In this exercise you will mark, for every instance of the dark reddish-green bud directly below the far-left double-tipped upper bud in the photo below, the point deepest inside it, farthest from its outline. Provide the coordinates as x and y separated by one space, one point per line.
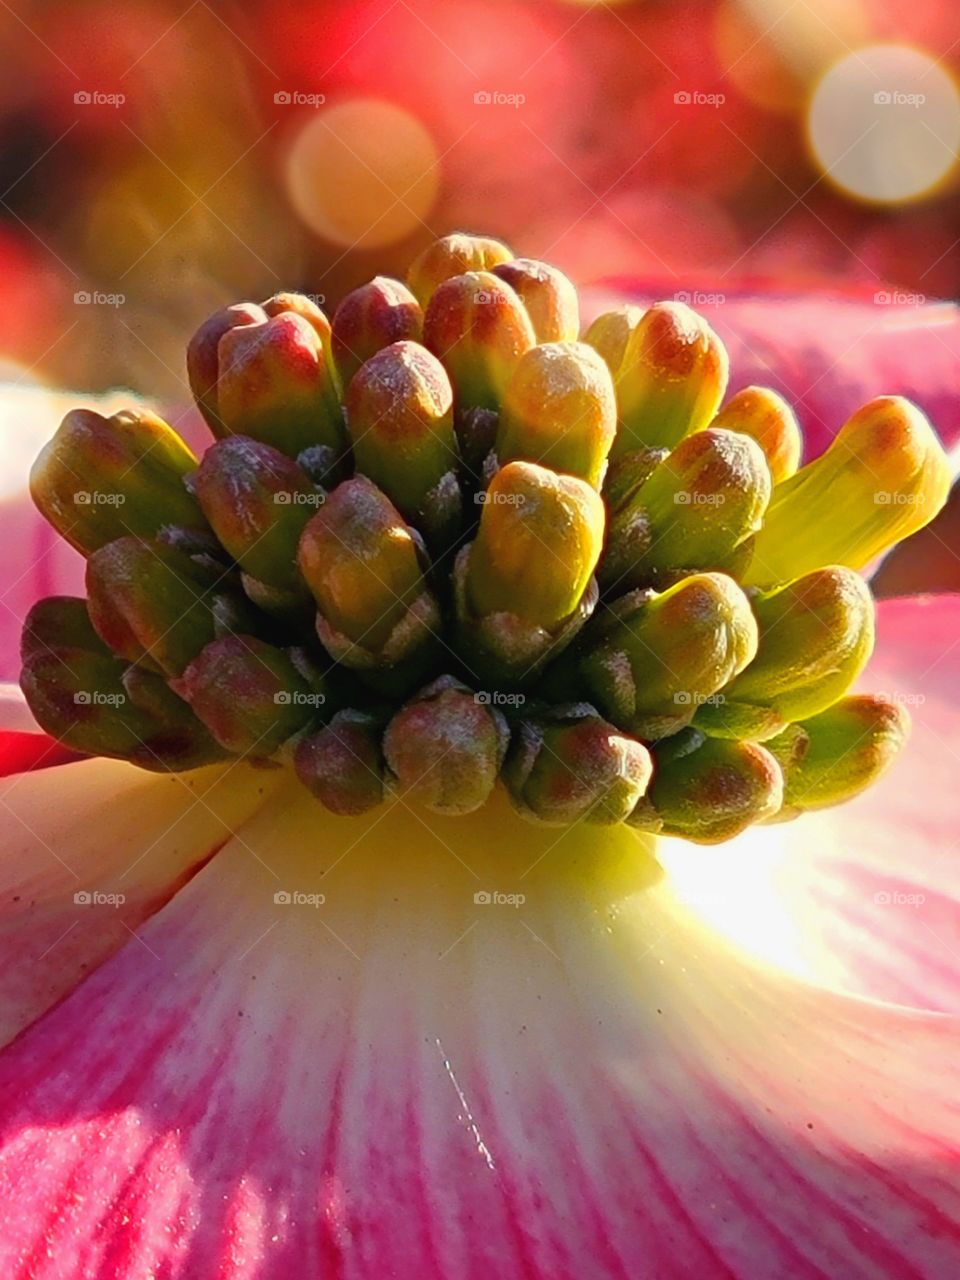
150 604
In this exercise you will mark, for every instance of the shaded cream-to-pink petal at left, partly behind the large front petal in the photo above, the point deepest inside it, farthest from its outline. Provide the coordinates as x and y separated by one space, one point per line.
99 828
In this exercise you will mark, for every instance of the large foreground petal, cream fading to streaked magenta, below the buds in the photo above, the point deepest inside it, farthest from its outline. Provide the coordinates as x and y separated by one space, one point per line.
401 1084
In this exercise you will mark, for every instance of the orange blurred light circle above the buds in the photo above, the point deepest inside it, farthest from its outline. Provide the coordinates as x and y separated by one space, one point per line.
363 173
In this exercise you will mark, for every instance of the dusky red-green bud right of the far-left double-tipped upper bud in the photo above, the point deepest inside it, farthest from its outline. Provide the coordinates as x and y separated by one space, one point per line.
258 502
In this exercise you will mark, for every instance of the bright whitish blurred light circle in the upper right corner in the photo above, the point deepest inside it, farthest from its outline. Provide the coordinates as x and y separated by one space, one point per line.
885 124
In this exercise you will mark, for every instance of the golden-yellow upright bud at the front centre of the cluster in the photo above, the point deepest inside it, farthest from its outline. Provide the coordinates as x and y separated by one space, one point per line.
538 545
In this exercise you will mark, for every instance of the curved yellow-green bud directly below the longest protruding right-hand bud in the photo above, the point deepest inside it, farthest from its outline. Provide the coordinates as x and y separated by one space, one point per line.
816 637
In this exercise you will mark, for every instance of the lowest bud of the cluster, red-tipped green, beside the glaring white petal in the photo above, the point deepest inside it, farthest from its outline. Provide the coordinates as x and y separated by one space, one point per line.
708 790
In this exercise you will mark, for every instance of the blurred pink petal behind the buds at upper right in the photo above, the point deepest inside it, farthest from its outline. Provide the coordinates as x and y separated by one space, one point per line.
826 354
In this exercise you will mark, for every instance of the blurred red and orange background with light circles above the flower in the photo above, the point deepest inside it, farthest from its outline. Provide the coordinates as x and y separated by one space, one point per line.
163 157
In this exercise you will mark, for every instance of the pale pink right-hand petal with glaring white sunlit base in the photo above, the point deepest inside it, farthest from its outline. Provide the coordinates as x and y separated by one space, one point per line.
865 898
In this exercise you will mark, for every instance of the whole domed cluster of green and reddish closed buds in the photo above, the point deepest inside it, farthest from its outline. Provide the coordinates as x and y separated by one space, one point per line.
442 542
